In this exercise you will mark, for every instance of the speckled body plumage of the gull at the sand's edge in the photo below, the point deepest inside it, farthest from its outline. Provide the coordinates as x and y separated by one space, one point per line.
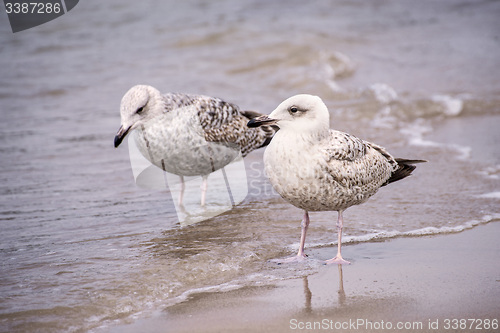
338 171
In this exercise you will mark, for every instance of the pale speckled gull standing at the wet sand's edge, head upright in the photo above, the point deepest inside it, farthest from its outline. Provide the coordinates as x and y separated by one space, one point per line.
316 168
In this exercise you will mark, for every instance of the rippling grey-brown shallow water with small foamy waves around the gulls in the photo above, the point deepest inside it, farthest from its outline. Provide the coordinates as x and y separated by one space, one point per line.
82 247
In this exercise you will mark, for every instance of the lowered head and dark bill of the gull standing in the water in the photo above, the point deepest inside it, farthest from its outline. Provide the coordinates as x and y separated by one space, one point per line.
139 105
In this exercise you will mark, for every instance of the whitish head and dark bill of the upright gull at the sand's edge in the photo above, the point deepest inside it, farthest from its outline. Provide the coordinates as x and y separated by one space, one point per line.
300 113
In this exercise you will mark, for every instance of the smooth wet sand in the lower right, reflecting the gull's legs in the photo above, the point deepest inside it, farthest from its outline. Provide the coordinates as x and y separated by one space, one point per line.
424 284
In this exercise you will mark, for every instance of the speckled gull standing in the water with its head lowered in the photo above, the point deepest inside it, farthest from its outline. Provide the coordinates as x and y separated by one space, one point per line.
188 135
